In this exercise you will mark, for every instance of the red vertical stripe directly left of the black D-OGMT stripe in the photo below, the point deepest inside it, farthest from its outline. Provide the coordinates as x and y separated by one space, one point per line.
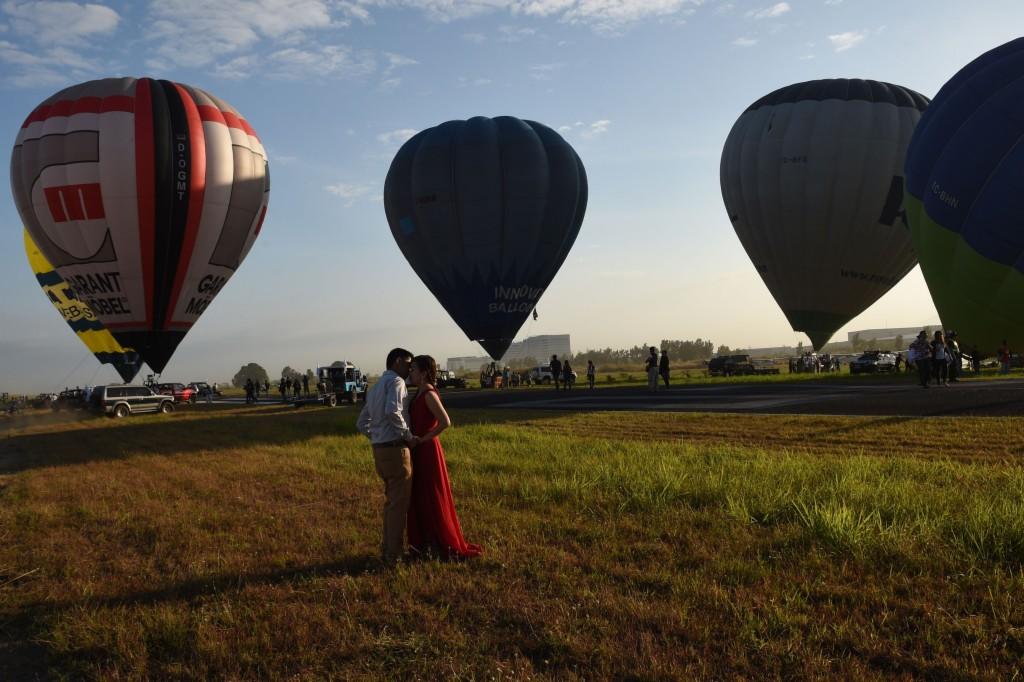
146 185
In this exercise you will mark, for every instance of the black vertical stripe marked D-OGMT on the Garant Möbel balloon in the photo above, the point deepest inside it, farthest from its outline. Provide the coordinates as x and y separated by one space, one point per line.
173 158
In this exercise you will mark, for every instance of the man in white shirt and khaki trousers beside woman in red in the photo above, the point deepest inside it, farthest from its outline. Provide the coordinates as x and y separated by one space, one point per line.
383 421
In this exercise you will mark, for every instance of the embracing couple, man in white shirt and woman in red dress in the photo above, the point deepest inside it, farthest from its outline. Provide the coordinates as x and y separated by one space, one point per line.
410 460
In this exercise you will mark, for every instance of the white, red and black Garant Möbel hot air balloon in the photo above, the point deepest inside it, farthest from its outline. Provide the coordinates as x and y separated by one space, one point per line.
146 196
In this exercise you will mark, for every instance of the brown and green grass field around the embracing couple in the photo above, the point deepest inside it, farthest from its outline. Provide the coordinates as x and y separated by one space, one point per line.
240 543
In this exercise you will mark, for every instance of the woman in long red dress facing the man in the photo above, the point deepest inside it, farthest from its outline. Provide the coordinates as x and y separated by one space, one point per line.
434 526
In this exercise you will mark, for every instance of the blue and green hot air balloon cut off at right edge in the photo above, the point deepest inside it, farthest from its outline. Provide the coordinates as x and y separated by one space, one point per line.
965 174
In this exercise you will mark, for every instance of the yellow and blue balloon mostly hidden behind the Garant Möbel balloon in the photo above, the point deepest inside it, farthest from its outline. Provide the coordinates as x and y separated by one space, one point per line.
79 317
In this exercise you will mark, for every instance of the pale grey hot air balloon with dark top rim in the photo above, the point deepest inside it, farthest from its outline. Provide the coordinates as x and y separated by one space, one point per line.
812 178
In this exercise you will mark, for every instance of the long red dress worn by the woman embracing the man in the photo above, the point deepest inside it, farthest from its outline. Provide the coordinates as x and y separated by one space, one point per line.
433 522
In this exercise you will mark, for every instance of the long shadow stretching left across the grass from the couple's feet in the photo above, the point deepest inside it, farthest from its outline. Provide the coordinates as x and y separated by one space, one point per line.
27 655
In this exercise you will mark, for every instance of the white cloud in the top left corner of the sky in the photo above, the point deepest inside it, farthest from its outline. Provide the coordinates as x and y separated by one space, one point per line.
61 23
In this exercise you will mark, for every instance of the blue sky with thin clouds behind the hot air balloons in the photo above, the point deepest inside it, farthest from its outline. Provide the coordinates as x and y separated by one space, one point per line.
645 91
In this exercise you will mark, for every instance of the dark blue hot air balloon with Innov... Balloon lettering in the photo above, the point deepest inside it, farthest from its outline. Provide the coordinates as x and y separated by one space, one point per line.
486 211
